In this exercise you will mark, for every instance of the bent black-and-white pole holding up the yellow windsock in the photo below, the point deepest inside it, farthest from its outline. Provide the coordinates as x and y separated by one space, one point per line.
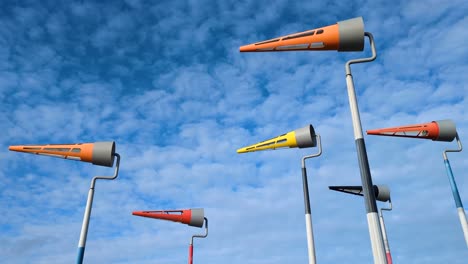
305 186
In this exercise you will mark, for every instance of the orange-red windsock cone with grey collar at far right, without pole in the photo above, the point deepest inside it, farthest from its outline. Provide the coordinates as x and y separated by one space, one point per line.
442 130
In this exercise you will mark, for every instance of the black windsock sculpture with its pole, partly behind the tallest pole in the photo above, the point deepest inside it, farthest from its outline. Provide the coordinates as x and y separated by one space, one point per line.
382 193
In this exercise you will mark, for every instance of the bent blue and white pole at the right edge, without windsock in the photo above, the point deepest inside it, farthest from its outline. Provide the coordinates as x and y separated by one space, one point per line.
456 195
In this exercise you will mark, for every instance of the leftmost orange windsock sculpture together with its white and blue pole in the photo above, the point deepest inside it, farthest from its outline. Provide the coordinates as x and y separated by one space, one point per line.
98 153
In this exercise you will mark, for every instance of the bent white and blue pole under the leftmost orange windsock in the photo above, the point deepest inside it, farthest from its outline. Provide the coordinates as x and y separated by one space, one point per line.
89 204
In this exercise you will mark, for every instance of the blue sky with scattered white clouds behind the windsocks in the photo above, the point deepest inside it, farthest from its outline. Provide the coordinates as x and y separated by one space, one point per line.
166 82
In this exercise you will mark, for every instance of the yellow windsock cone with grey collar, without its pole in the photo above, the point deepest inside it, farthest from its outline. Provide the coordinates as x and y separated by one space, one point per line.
299 138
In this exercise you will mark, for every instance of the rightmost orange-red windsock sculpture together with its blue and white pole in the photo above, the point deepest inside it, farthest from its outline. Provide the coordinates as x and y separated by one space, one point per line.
442 130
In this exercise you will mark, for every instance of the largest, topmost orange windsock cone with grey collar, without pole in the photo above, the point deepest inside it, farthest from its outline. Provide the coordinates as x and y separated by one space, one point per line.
347 35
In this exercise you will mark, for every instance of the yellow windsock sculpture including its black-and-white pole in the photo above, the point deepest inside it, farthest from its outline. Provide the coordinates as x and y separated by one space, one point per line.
300 138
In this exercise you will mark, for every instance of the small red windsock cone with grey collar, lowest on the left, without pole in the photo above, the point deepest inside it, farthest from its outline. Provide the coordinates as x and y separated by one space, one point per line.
191 217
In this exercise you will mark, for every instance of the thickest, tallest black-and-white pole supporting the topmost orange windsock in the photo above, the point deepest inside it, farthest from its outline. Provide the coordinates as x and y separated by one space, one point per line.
366 179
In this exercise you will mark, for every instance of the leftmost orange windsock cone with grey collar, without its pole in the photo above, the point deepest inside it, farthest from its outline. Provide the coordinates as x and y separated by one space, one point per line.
98 153
